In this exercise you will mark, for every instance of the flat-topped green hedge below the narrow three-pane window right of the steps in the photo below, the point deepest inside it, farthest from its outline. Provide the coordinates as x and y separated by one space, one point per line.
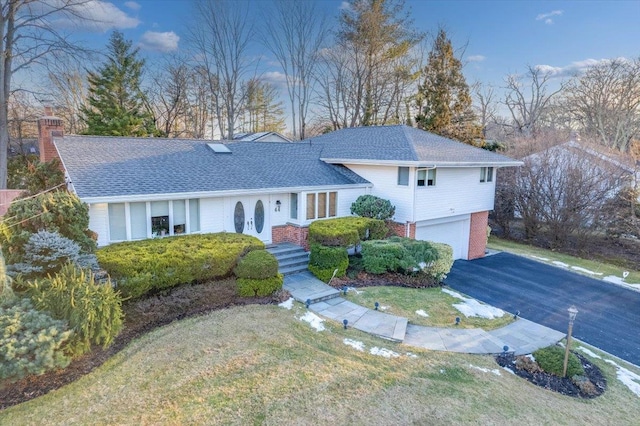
346 231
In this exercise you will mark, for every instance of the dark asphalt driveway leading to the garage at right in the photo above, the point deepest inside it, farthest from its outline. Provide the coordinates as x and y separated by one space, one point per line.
608 317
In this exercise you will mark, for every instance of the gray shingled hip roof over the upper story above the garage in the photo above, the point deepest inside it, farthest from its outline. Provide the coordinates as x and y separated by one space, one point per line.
403 145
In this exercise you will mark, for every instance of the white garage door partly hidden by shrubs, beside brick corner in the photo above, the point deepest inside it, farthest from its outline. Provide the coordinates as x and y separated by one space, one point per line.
453 231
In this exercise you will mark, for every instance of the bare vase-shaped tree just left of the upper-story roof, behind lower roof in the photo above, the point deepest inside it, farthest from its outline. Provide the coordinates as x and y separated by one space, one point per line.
295 35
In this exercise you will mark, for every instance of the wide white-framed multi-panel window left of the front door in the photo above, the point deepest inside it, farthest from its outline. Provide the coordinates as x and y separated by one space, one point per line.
140 220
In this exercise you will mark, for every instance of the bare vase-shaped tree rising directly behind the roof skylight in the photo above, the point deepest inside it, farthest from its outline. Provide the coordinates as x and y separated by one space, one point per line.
221 34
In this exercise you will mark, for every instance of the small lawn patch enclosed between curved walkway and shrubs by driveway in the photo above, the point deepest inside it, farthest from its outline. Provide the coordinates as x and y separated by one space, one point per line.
405 302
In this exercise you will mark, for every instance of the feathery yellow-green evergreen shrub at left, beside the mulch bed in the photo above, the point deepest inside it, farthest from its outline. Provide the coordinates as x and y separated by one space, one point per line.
93 311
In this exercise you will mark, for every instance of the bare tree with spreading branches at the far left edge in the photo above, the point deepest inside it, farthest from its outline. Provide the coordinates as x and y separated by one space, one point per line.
29 38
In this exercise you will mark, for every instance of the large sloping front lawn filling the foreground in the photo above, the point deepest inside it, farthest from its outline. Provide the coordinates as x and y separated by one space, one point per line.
261 365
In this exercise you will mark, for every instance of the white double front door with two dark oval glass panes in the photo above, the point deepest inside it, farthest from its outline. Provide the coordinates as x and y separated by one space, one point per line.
250 216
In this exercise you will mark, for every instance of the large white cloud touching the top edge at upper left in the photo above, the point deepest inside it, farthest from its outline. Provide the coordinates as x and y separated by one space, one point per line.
97 16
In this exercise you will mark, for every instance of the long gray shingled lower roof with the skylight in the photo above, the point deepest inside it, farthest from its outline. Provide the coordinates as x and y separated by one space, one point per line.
111 167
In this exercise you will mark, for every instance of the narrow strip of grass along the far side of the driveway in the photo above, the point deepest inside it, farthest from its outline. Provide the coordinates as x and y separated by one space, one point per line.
592 265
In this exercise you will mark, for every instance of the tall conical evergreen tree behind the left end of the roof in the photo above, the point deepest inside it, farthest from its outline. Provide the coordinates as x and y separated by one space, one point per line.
117 105
